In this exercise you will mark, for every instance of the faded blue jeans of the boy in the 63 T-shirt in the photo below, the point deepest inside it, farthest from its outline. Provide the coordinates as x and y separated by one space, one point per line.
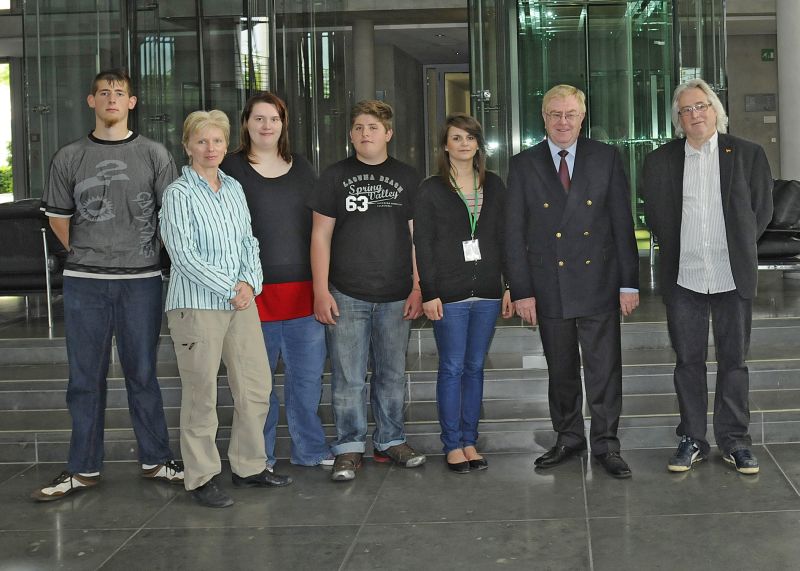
365 329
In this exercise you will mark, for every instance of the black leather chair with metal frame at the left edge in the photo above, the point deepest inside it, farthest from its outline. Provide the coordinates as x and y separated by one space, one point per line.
31 257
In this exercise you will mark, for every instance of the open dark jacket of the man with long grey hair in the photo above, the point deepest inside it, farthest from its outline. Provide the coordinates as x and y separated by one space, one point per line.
746 187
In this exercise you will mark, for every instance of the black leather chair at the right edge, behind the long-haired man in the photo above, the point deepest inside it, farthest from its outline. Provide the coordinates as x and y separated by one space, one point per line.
779 247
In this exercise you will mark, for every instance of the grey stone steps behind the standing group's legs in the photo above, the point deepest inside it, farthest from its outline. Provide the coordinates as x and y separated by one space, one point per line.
35 424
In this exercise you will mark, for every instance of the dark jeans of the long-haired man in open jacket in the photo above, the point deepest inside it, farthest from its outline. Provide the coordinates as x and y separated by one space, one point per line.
687 317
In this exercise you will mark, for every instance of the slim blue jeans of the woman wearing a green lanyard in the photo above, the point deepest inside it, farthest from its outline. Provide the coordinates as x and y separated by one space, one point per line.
462 339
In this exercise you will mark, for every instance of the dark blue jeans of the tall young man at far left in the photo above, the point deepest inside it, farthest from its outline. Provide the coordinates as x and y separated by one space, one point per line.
94 309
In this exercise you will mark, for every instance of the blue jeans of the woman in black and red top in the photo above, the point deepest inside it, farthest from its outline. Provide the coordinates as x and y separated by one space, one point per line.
301 344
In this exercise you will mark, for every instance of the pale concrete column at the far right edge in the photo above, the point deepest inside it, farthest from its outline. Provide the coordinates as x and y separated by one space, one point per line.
788 16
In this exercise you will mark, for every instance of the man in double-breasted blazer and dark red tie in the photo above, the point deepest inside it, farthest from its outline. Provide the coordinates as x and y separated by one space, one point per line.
573 264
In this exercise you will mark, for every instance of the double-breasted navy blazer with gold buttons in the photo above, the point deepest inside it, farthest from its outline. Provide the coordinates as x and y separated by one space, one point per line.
571 251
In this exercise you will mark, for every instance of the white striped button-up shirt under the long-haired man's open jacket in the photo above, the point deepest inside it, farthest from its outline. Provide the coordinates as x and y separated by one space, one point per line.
704 265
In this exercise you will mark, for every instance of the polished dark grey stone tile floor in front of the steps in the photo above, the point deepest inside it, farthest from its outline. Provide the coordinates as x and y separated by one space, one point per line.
507 517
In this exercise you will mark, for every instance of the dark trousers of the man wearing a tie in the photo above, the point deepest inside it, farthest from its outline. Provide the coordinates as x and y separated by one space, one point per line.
599 340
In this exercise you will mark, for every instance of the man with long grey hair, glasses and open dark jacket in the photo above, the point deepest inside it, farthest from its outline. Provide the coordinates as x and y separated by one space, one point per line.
708 198
